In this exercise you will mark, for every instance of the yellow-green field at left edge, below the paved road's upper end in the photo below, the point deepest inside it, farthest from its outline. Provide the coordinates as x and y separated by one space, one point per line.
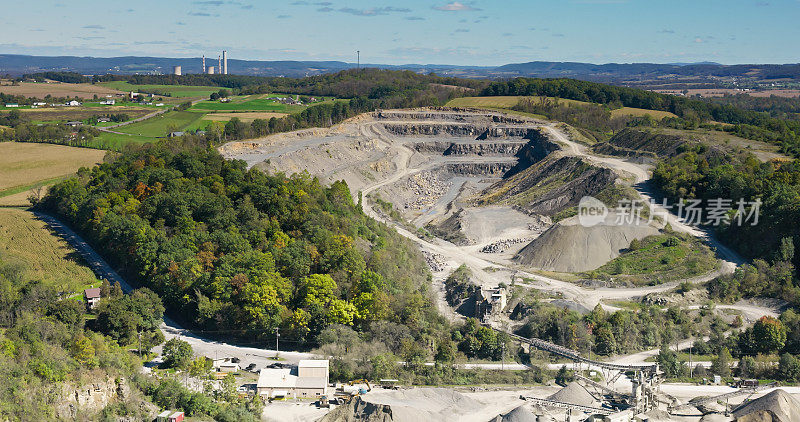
25 239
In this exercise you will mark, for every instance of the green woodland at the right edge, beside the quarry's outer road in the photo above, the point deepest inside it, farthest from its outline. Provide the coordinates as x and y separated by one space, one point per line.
707 174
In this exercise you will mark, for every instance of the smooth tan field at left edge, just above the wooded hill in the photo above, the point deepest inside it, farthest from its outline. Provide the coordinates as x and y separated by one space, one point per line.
27 165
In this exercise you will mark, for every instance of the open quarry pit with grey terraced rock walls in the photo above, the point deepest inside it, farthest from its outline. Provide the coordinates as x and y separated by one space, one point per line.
484 181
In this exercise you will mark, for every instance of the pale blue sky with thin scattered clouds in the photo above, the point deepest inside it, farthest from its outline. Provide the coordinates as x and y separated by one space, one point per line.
470 32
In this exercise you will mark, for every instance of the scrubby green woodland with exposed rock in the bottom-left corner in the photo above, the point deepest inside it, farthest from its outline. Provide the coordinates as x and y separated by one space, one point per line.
52 350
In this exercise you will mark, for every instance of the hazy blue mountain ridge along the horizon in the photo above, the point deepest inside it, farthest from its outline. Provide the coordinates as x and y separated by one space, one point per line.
611 72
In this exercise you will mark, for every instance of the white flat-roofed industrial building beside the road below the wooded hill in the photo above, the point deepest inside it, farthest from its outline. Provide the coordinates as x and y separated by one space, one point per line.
308 379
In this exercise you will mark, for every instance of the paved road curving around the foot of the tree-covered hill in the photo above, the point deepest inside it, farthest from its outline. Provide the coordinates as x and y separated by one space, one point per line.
201 346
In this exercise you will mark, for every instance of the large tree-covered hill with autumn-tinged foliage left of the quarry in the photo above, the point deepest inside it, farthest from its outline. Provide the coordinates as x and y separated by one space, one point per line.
242 252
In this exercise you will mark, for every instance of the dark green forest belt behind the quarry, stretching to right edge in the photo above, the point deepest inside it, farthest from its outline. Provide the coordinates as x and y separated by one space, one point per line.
745 123
